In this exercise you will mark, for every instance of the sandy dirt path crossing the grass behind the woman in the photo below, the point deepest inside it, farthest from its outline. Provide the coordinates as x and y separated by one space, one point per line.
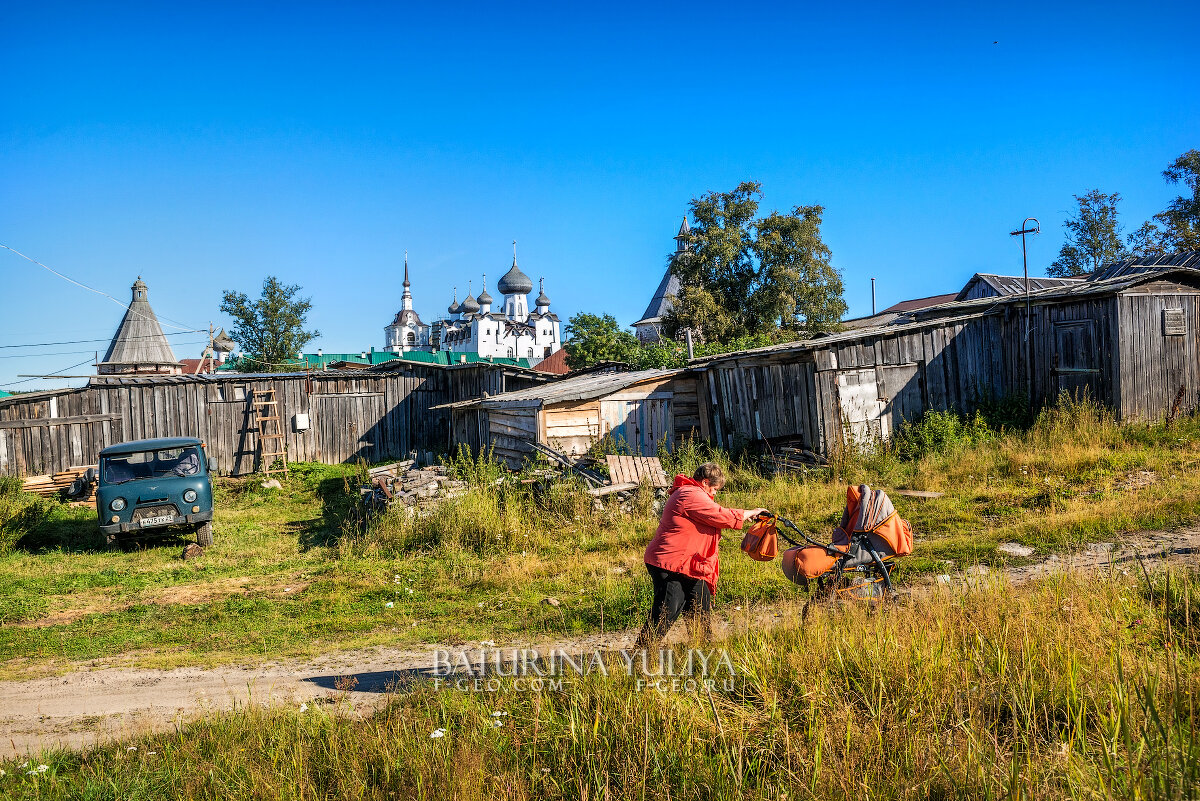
91 707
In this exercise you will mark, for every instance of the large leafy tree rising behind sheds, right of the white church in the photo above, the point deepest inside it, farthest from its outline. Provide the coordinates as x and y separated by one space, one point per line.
743 275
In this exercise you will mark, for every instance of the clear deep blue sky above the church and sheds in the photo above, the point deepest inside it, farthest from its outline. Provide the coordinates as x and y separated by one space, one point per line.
207 147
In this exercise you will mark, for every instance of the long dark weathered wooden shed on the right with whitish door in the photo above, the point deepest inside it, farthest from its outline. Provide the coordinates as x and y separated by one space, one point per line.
1130 338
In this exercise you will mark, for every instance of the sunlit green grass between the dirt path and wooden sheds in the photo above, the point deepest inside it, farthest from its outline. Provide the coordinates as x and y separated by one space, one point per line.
291 576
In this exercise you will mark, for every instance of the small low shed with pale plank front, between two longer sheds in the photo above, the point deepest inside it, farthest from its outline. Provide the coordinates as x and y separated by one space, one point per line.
643 411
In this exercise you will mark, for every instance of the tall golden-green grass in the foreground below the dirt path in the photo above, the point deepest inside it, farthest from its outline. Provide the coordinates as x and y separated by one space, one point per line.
1070 689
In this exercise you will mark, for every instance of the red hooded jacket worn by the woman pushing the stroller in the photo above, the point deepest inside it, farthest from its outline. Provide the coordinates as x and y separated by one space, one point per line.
691 532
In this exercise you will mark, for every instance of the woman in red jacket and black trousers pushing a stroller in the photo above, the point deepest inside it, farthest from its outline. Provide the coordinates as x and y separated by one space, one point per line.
683 556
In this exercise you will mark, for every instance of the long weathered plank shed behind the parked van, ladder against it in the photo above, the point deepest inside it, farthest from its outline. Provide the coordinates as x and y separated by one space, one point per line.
328 417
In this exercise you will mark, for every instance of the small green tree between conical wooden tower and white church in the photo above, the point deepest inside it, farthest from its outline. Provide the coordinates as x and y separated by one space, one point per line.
271 330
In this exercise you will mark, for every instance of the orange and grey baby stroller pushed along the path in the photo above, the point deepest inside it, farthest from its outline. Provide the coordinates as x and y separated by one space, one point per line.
860 562
